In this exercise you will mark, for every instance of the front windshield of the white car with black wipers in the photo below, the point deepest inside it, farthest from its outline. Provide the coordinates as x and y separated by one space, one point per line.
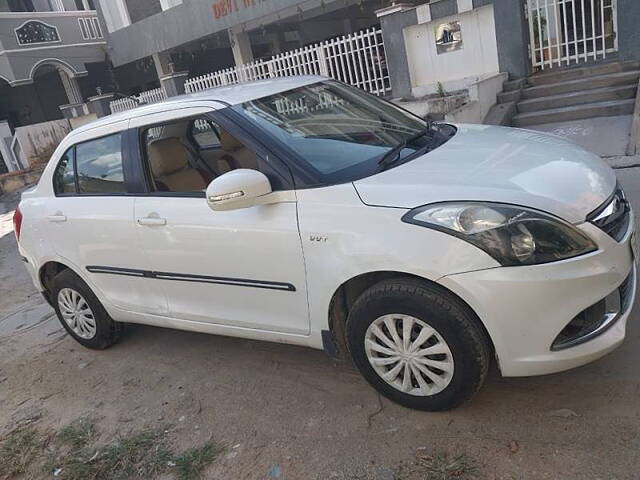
342 133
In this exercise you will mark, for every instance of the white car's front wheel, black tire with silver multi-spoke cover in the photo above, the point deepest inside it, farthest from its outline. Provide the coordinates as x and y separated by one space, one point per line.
456 355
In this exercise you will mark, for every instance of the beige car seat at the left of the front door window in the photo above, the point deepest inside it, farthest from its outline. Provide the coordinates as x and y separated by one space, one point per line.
169 161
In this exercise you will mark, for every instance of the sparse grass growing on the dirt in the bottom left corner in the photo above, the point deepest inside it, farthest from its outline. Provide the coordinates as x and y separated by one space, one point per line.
75 453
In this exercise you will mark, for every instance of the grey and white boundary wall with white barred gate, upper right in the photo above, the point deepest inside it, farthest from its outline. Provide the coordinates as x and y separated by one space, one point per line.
518 37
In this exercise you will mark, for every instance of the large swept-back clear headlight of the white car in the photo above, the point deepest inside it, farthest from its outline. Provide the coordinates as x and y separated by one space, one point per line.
510 234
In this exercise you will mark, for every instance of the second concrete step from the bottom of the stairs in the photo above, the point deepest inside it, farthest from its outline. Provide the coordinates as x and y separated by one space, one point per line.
578 98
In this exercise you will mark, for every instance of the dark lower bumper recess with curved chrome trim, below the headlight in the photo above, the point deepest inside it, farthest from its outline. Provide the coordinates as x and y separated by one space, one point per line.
596 319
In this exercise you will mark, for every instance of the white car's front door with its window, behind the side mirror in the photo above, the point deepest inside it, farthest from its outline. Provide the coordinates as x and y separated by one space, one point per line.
241 268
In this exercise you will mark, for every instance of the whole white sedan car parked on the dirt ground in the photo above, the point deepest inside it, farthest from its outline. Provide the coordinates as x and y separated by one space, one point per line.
304 211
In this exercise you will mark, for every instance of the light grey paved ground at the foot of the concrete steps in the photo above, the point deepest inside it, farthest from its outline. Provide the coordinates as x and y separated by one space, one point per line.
606 136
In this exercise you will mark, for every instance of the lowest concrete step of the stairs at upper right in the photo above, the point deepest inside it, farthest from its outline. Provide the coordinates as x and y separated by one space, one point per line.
576 112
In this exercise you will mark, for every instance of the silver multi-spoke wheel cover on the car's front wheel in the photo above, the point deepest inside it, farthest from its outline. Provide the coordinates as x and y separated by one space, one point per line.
409 354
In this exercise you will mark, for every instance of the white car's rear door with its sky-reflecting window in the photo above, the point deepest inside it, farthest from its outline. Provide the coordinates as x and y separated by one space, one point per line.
90 220
